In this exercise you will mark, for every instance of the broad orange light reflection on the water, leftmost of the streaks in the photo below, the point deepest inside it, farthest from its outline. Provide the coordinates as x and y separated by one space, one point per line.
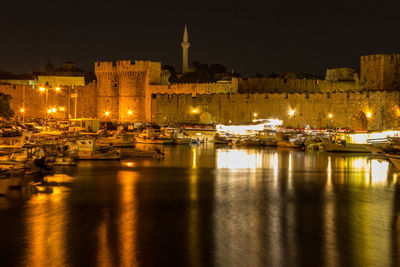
46 222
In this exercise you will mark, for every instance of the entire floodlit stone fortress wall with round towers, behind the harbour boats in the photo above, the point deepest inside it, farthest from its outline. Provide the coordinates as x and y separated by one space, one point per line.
142 88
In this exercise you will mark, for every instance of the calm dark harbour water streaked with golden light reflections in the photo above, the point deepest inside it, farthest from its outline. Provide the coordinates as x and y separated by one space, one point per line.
206 206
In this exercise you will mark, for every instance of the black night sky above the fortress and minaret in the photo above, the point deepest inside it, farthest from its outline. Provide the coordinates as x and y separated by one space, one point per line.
247 36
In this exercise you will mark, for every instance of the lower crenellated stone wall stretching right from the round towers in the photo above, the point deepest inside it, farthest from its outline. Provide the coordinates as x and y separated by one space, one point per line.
348 109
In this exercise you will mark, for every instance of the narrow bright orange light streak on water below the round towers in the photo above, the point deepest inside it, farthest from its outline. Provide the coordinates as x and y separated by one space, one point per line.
127 222
